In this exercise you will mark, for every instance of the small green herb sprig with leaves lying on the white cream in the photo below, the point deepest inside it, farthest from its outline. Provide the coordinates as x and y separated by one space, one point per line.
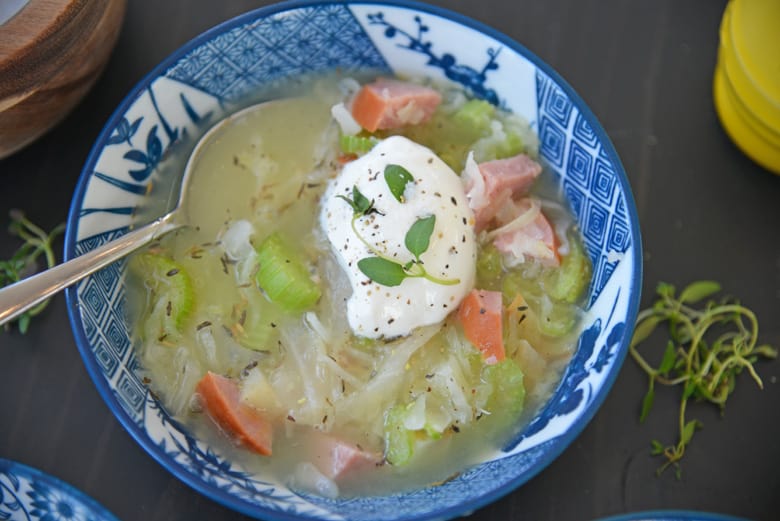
384 270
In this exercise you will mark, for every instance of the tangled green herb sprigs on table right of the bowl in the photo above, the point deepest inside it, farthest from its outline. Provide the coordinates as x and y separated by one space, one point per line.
706 351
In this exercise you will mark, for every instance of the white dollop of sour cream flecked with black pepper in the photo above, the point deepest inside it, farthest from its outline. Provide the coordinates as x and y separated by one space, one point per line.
375 310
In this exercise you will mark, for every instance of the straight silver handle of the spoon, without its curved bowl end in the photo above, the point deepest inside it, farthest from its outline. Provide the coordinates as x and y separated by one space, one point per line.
27 293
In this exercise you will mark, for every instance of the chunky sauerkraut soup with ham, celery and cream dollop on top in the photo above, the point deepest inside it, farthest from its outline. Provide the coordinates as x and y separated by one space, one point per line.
378 289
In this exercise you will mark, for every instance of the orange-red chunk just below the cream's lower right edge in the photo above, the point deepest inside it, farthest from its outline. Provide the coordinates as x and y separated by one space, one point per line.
480 312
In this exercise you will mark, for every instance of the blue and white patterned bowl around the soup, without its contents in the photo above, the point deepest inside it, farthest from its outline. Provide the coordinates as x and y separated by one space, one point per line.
204 80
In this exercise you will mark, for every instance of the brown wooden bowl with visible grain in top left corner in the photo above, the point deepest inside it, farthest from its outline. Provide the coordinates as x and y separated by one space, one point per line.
51 53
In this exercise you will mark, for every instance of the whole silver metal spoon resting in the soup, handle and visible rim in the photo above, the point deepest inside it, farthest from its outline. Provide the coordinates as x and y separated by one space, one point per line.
25 294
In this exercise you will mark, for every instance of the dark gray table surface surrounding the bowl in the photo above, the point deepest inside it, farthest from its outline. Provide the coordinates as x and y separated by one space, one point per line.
645 69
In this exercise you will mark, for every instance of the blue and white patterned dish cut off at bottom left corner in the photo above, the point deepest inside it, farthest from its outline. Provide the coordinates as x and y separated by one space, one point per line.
27 494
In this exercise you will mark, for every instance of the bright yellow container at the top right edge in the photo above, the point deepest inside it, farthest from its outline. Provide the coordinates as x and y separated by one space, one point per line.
746 86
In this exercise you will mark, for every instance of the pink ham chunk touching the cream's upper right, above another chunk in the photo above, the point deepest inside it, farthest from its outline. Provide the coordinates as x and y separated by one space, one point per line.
502 180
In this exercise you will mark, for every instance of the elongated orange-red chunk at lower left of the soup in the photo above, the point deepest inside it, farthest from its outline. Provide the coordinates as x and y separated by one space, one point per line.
221 399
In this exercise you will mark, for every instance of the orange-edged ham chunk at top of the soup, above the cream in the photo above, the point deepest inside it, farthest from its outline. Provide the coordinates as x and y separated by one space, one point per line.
388 103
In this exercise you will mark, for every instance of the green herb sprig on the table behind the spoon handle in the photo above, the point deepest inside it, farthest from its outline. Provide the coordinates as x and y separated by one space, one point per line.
36 243
